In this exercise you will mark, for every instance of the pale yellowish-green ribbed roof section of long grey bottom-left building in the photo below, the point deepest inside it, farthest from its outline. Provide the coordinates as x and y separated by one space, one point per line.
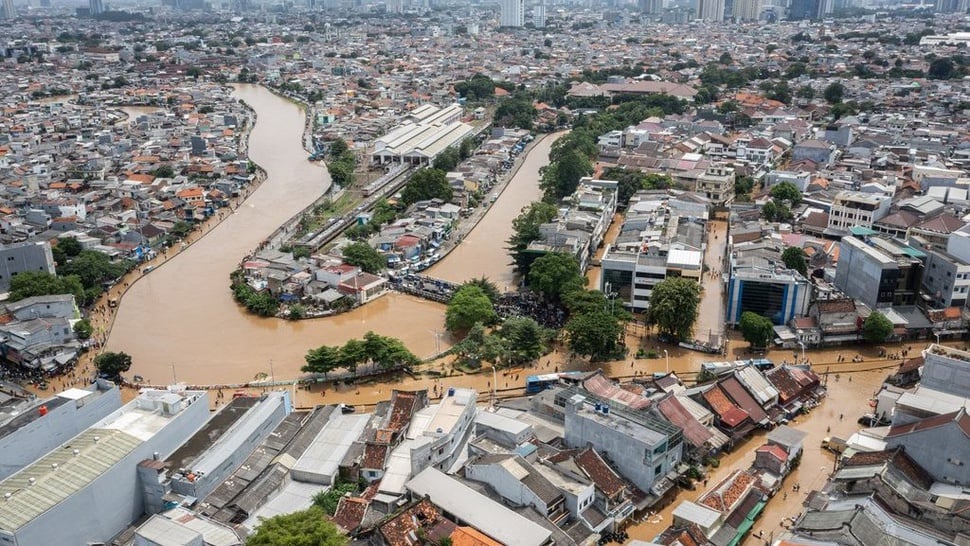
51 485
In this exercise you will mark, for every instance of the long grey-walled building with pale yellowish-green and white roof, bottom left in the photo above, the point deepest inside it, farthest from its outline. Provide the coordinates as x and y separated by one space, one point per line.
91 480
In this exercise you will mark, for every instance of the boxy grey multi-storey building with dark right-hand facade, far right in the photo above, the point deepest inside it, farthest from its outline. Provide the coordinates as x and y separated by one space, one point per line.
879 272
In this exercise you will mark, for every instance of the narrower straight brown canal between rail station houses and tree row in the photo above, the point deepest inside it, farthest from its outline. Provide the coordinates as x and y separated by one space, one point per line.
483 252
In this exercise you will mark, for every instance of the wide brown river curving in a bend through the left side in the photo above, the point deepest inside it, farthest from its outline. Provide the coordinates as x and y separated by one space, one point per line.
182 315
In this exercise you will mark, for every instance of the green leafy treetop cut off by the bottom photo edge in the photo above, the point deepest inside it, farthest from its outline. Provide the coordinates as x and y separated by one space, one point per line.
308 527
